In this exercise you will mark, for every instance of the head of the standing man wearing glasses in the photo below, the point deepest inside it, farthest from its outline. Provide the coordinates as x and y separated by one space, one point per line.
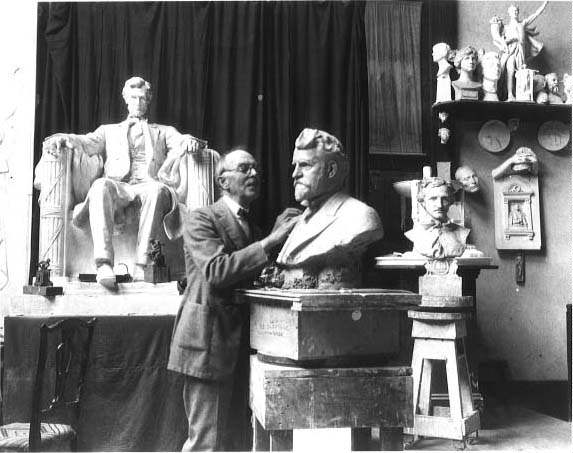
239 176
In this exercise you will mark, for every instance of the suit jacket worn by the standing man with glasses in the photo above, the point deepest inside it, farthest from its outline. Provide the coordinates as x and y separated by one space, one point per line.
219 258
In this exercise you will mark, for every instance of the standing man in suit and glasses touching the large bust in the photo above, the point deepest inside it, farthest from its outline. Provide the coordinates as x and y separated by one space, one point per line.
223 251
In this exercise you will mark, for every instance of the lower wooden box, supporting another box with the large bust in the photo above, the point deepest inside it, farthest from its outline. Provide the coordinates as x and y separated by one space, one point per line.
286 397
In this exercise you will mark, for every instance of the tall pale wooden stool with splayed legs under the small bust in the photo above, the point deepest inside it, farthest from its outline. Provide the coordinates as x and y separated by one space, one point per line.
437 336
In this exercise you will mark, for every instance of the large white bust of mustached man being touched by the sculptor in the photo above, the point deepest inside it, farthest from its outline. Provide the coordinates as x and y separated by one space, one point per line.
325 247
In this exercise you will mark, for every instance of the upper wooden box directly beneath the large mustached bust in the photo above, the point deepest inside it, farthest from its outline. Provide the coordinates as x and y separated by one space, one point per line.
343 327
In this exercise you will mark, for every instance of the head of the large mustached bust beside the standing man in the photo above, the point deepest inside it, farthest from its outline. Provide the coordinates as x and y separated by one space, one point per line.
320 166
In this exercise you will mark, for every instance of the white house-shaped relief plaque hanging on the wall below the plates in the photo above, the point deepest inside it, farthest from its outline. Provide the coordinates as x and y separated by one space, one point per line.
516 202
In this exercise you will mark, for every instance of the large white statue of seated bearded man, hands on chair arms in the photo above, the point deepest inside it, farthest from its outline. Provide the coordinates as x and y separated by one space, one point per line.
123 163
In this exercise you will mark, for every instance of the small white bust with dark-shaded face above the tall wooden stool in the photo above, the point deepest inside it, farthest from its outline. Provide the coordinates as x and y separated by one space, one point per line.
434 235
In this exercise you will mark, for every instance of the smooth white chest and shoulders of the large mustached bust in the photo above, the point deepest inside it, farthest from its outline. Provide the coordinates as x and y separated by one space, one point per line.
342 227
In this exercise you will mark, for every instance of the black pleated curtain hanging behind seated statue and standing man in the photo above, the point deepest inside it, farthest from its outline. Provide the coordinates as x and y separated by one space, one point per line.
249 74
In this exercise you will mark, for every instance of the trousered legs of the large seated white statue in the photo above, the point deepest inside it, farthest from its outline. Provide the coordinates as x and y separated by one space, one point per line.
107 195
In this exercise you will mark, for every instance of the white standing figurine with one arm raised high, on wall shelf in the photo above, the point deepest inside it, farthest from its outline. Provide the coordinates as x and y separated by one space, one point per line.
517 43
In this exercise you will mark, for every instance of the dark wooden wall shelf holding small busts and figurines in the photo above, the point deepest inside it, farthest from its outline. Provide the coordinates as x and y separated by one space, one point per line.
470 110
